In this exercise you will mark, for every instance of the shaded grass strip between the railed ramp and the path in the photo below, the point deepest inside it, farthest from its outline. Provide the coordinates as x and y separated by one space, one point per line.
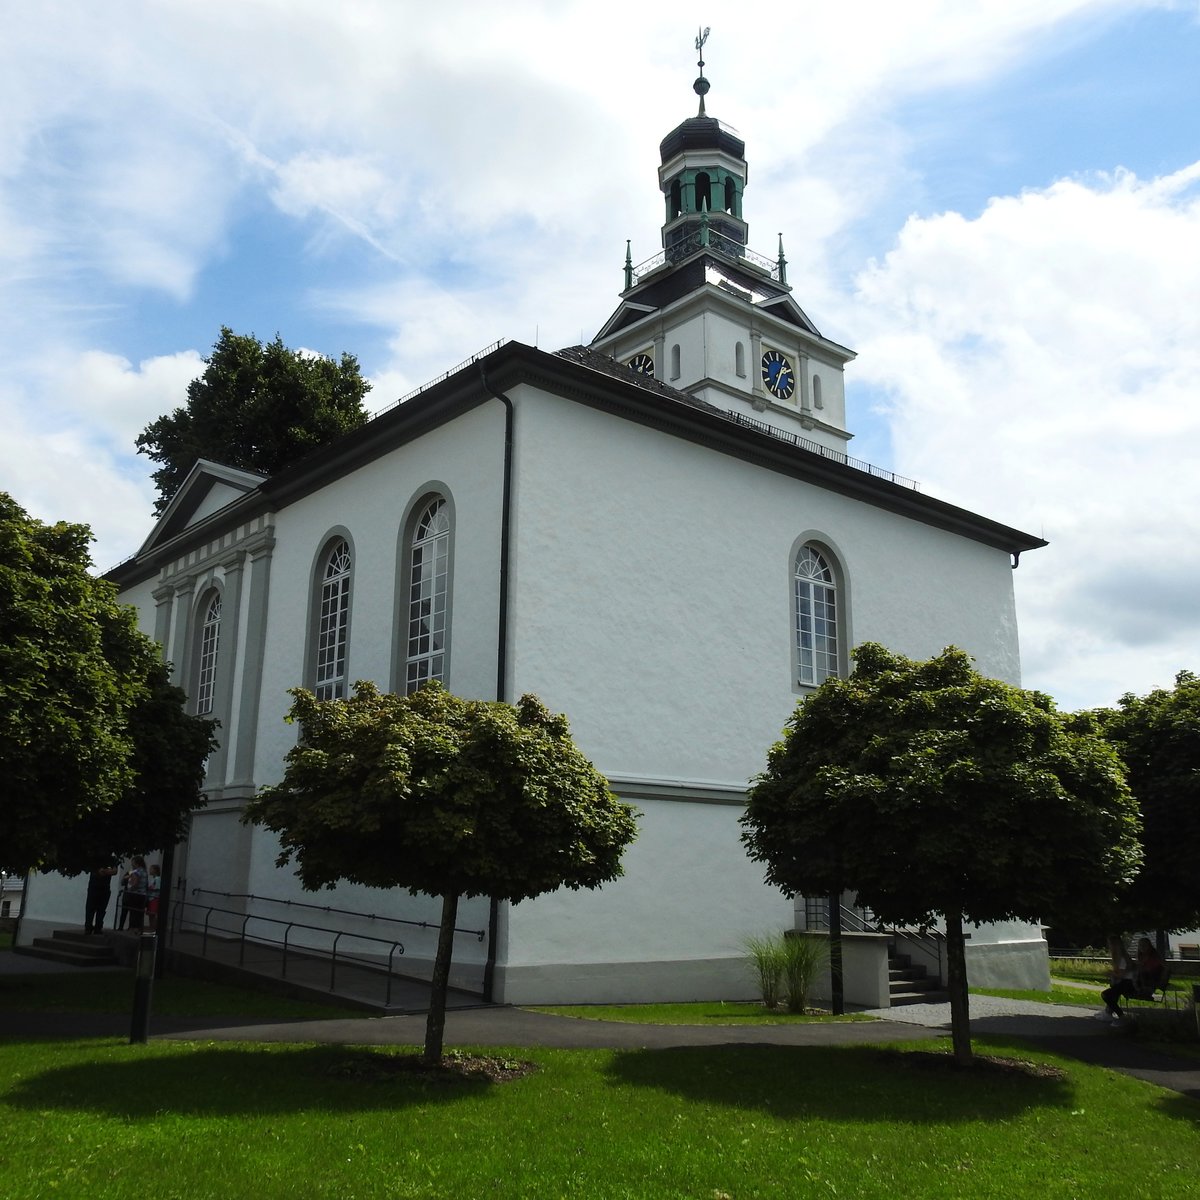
112 992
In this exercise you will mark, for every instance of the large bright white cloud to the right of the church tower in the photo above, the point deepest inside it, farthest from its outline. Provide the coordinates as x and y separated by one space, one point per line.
1042 364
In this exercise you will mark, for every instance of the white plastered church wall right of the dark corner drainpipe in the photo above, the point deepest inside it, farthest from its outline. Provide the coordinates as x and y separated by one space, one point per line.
653 605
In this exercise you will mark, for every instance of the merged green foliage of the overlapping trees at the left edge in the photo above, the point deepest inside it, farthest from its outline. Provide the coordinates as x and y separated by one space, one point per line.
88 721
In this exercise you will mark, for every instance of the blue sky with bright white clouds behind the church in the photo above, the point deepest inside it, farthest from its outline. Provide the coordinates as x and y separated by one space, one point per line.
997 205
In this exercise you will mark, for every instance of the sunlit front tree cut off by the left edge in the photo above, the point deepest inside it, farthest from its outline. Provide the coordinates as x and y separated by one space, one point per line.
73 670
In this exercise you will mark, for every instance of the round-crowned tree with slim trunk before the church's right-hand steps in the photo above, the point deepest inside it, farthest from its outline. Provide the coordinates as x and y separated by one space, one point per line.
932 791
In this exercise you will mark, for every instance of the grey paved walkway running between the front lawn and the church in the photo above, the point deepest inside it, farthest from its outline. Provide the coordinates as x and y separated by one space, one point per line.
1065 1030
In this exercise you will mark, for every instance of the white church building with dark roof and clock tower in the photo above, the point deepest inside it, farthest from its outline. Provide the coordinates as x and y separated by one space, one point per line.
661 535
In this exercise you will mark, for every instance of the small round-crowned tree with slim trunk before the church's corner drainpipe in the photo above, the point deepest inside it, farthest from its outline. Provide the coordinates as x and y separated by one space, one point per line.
443 796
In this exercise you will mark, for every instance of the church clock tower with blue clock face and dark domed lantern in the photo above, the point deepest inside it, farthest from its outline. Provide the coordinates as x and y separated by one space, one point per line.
711 317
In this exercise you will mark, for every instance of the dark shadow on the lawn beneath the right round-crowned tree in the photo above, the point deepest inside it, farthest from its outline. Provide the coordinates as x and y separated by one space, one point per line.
847 1083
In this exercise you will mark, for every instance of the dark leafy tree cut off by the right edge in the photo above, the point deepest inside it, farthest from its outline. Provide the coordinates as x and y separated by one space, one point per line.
1159 739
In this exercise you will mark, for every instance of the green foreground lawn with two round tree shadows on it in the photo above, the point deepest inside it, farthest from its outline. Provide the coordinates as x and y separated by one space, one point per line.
195 1121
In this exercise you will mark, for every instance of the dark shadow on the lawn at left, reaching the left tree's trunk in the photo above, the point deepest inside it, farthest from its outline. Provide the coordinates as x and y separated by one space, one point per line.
241 1082
